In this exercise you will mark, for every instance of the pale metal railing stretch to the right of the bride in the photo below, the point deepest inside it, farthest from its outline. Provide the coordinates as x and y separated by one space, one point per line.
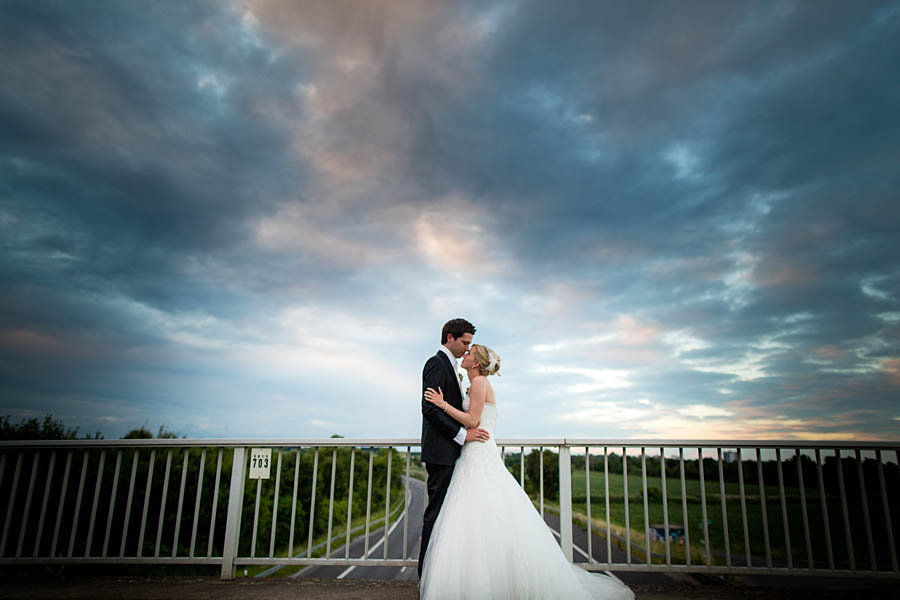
745 506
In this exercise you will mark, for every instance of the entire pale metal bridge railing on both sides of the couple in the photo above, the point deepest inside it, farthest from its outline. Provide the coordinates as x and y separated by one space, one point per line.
774 507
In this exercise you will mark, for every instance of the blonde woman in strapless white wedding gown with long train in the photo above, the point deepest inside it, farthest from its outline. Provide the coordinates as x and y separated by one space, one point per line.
488 540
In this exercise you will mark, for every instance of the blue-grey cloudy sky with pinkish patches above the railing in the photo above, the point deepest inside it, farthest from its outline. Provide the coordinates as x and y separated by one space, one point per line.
251 219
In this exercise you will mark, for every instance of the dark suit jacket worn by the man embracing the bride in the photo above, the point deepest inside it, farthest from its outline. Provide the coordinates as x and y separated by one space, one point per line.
438 429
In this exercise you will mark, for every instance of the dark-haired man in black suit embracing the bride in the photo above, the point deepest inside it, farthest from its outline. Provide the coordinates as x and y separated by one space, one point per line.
442 437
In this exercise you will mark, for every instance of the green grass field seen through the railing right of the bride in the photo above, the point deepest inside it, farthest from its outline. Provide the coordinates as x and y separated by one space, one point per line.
796 532
